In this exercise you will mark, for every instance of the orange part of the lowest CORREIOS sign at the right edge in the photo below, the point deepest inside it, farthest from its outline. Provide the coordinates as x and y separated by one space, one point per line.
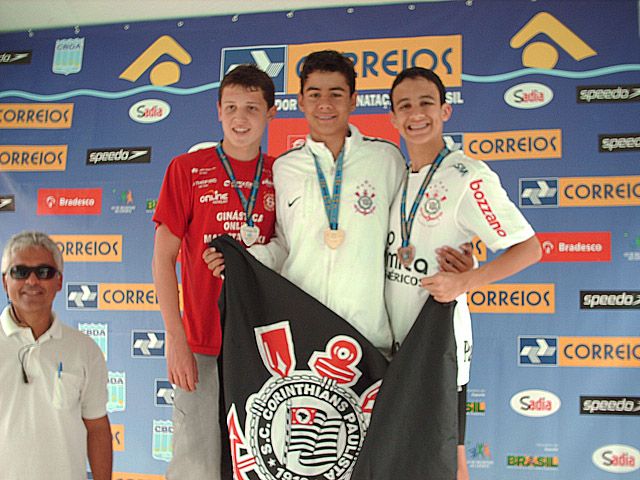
599 352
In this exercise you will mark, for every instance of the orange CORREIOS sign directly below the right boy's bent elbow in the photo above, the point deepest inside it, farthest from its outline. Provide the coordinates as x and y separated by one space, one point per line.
513 298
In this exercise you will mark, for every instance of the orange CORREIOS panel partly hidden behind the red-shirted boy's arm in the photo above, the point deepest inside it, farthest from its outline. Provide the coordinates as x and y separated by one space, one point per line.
130 296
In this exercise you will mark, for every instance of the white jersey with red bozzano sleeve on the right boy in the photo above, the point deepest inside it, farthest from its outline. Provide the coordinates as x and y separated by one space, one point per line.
464 199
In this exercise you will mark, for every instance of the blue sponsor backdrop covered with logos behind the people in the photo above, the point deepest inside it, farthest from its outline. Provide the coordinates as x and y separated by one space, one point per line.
90 118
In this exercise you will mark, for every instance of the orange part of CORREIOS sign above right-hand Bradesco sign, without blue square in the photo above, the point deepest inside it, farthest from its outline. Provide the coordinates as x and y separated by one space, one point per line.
599 191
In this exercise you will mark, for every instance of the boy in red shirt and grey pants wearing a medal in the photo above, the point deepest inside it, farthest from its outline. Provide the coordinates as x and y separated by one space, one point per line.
207 193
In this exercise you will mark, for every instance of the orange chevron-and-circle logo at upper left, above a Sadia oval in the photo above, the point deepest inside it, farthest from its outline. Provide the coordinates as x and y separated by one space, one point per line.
164 73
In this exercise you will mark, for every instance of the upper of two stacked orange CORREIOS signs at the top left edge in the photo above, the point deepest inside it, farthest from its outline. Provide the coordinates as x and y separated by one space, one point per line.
36 115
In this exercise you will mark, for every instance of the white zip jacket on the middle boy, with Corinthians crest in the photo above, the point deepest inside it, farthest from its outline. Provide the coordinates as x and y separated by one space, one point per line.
350 279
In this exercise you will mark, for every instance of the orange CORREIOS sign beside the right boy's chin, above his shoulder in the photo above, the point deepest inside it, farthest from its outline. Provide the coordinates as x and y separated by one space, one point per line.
514 144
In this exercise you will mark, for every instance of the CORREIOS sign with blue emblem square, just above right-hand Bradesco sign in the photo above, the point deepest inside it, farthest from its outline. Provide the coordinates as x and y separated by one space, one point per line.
579 192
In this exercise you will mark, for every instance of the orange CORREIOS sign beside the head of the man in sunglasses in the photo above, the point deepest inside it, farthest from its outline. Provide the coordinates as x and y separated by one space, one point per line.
90 248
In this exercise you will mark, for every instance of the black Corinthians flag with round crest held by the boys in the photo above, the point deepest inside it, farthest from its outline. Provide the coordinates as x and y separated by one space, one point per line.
299 384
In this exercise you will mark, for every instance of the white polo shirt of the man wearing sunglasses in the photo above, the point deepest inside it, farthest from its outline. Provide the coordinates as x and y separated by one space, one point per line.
42 435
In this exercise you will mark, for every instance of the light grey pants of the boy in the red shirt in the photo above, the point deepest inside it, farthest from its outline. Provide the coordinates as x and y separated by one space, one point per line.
196 431
